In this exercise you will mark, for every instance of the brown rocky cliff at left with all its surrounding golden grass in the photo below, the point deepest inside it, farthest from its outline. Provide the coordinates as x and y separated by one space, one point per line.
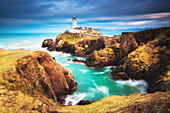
35 77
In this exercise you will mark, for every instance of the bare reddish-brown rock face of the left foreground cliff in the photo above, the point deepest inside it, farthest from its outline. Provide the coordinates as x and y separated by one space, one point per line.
42 74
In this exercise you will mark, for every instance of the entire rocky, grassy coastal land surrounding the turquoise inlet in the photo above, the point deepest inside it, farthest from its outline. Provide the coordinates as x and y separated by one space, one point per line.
32 81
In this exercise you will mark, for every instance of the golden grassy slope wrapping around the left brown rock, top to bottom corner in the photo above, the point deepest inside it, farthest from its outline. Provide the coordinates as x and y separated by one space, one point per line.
12 100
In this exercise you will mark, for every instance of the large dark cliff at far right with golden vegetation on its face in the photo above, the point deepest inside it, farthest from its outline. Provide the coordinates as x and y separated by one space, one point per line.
149 61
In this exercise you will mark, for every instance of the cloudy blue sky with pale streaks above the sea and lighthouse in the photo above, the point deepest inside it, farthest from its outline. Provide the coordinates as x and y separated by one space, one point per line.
55 16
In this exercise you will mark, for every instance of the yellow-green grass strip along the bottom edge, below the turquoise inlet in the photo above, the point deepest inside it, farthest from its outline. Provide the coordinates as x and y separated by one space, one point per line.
115 104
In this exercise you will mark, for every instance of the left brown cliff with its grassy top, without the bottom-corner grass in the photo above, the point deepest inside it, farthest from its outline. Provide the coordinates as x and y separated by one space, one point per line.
36 73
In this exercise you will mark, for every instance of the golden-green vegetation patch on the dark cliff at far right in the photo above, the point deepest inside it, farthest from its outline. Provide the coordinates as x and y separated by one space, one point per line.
146 55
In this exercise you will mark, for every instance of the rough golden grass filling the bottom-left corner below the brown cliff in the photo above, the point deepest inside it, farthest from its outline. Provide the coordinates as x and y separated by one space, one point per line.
15 102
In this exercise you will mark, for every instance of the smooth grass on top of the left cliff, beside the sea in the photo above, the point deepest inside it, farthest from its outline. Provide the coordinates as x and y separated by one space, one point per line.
8 59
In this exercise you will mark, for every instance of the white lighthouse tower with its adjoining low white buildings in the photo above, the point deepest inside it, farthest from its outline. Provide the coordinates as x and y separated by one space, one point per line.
76 29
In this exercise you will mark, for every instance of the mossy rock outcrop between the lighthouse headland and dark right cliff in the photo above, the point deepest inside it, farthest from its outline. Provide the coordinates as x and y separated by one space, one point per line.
115 50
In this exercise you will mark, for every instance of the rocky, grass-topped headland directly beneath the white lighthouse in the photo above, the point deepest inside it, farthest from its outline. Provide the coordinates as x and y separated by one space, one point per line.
75 44
